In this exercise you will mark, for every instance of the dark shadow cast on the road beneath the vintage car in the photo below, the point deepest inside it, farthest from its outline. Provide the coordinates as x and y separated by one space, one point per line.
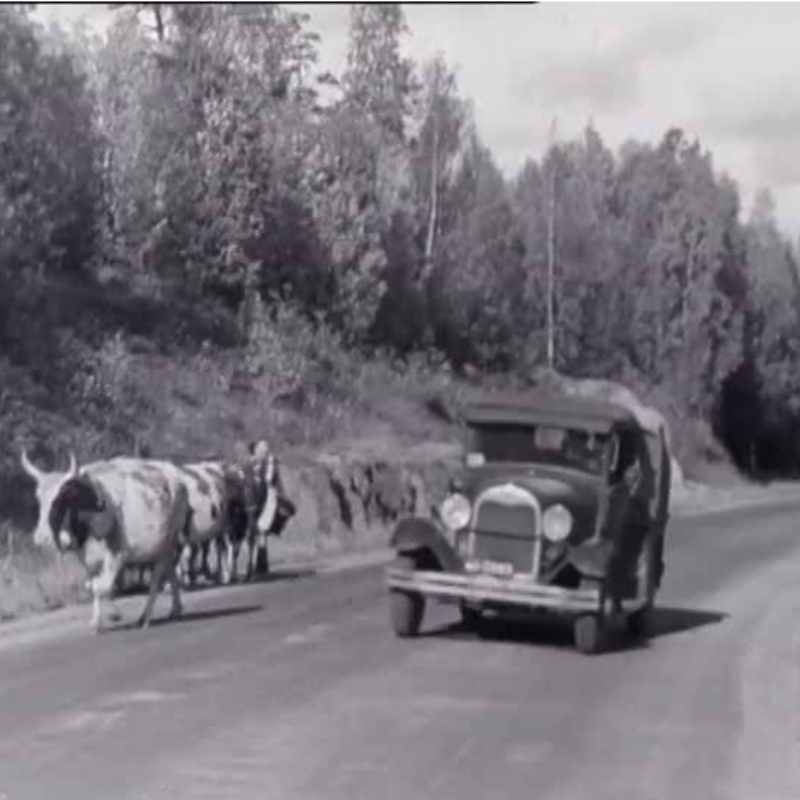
550 632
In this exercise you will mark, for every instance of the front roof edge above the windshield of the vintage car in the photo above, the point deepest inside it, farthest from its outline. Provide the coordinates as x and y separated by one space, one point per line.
548 408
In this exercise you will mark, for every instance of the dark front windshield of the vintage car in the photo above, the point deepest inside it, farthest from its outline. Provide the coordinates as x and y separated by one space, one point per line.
540 444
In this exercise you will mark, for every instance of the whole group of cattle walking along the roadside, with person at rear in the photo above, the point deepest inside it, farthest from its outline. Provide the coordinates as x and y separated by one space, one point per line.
144 515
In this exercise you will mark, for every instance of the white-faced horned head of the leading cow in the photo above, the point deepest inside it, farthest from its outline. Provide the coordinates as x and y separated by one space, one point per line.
62 496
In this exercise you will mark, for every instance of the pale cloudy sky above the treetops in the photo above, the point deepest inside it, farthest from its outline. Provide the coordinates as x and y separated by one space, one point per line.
724 72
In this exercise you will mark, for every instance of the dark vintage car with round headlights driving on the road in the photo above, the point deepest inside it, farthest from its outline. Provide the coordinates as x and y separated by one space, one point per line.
561 507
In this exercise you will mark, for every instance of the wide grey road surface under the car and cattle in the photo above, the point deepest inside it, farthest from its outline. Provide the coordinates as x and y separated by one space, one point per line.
297 688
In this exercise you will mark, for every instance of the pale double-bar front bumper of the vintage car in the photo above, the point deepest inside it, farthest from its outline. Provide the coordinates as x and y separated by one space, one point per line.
487 589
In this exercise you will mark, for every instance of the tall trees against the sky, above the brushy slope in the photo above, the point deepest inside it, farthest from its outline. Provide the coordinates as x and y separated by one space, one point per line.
198 153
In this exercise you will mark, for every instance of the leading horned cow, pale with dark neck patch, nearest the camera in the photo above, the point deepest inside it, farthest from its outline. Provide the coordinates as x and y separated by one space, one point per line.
113 514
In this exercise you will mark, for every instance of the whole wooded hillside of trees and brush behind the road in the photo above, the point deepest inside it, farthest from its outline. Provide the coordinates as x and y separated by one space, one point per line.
202 234
